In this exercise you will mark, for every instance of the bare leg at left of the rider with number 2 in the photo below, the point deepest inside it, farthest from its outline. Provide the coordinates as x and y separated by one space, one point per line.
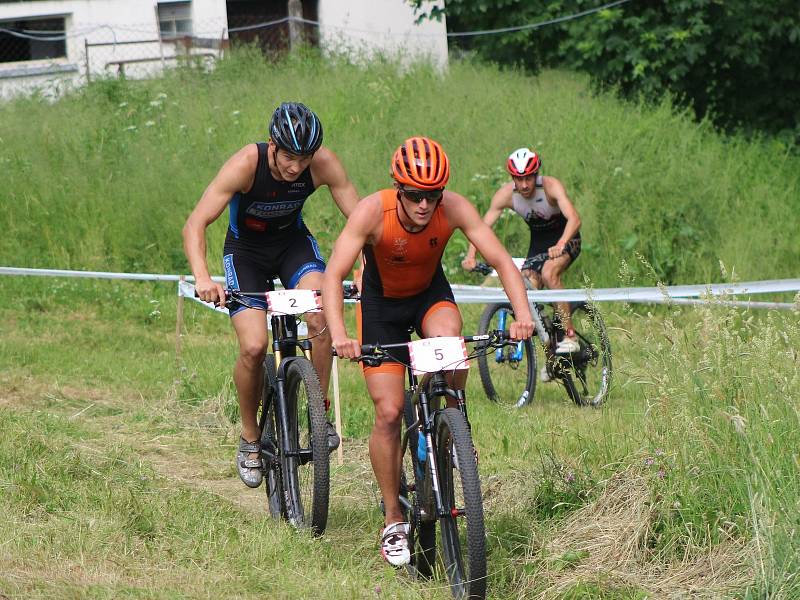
251 329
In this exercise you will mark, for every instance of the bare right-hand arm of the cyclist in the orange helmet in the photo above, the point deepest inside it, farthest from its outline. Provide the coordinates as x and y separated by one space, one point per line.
460 213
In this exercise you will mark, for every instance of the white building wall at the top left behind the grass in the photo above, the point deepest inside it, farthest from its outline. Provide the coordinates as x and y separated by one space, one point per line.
364 26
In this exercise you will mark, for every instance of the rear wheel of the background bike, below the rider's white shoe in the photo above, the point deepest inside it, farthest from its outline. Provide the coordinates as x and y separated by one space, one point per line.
588 376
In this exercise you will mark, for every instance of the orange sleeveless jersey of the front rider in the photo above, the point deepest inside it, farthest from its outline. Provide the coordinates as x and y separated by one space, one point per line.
403 263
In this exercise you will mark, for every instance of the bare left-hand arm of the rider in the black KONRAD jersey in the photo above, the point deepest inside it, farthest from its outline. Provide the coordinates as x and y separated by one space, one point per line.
236 175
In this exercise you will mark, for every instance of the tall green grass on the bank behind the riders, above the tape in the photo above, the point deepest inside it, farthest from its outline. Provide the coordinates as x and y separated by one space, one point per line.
105 177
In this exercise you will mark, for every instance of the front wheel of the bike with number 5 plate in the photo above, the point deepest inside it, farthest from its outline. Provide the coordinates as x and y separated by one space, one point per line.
462 528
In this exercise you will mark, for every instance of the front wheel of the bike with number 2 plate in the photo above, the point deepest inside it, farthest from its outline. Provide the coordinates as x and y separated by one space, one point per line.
305 469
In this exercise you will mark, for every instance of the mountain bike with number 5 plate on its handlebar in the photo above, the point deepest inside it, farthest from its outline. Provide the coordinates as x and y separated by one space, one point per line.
439 476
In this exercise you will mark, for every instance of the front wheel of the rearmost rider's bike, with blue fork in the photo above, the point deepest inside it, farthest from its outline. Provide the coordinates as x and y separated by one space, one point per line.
508 374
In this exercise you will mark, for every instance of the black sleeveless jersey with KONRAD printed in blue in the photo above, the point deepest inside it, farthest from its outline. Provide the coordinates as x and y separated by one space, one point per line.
271 210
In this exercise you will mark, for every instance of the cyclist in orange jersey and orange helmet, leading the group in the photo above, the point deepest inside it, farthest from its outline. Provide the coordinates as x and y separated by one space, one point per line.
403 232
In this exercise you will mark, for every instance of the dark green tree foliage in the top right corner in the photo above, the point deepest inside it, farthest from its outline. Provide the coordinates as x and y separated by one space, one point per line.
733 61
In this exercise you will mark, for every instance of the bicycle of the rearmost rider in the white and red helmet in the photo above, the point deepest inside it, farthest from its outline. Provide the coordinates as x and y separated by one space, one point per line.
512 373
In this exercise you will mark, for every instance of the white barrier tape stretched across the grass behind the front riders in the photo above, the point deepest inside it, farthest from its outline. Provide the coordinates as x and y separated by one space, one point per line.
476 294
